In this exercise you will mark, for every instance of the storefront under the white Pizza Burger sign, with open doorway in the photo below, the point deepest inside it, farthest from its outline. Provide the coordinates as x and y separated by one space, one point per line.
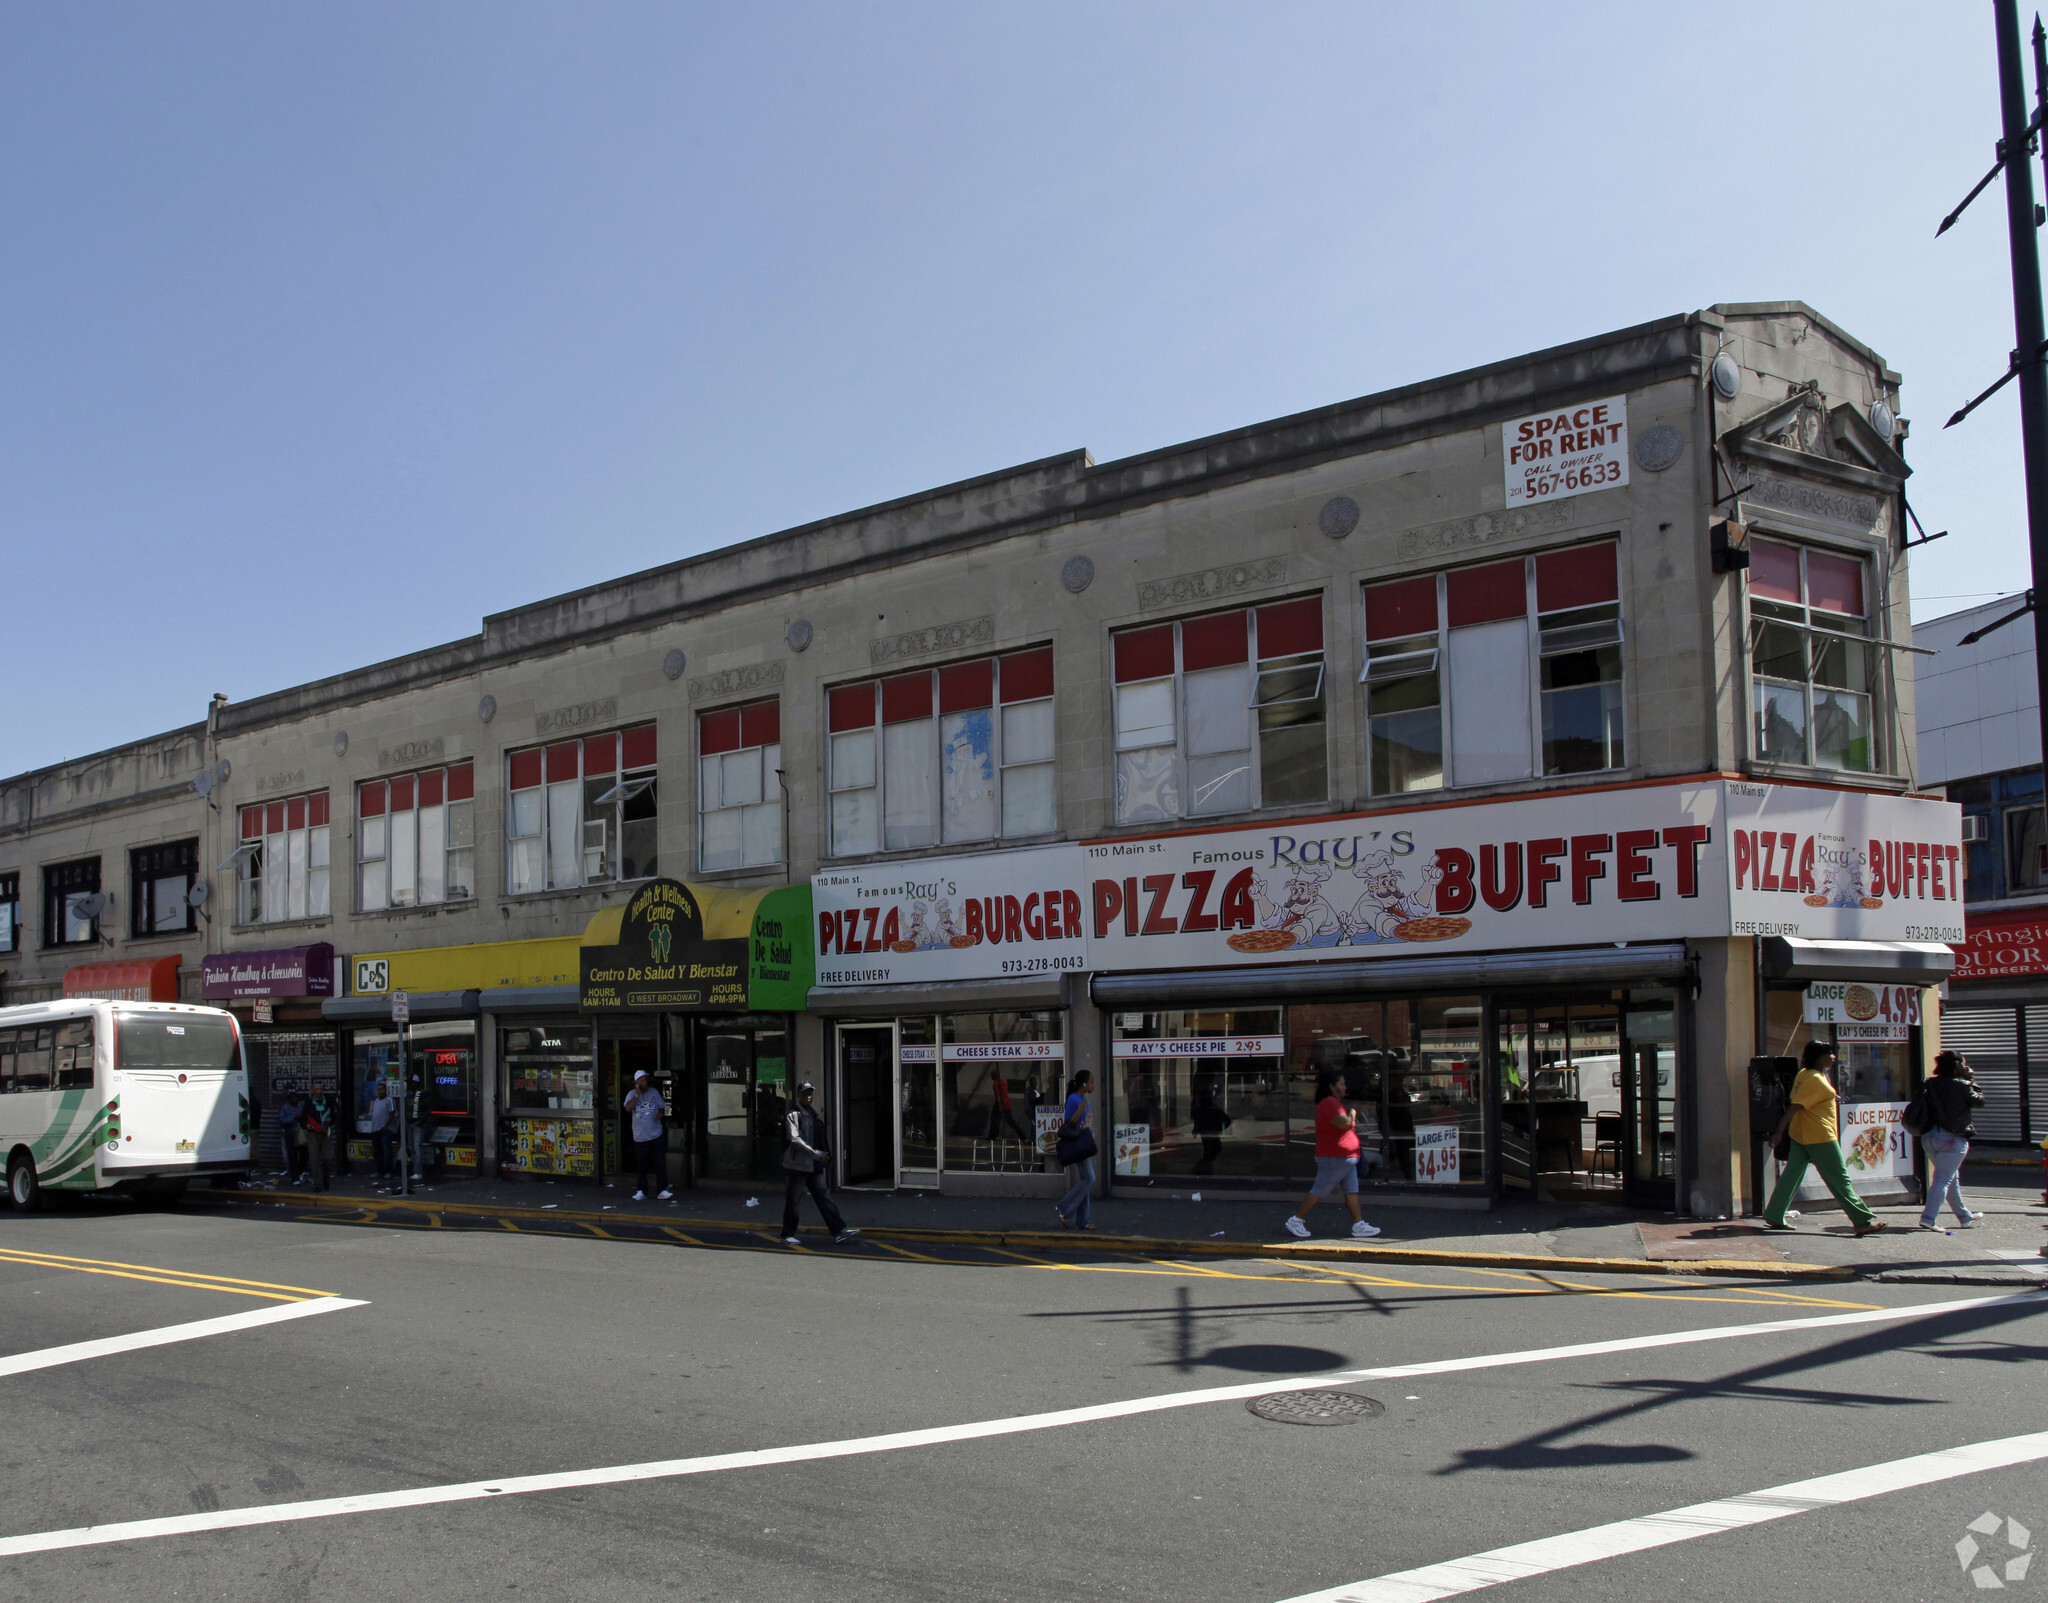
949 994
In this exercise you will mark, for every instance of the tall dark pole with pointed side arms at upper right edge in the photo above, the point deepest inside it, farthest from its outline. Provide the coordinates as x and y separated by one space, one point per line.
2031 357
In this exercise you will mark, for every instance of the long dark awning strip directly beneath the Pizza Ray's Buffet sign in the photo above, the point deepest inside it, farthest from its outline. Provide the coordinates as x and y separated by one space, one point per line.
1480 971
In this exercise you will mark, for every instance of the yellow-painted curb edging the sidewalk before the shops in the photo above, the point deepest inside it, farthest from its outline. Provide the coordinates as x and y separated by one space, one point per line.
1136 1246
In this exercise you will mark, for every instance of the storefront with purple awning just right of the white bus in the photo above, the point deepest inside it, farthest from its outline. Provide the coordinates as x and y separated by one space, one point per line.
288 1043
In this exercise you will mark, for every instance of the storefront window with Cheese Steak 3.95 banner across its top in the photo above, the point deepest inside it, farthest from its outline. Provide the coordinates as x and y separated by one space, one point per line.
996 1074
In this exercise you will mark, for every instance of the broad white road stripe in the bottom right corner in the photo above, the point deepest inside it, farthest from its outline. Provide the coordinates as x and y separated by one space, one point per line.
1660 1530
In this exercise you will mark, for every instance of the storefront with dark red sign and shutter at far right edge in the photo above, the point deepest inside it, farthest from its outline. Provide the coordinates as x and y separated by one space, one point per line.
1998 1014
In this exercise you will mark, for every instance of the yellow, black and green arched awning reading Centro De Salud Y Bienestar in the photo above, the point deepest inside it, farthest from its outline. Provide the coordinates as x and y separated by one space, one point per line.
675 947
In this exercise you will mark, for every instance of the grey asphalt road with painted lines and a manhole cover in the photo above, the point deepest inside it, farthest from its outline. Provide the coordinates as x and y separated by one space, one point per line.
511 1354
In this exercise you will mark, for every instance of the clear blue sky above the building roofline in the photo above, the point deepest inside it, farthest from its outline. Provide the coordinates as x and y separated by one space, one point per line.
327 331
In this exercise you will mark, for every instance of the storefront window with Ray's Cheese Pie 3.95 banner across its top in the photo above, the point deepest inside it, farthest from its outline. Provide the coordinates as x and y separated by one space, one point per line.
1201 1094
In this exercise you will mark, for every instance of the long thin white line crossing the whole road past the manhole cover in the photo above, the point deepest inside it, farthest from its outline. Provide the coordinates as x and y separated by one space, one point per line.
417 1498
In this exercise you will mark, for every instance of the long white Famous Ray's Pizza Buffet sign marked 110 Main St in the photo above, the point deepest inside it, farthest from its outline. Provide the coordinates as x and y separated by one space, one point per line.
1598 867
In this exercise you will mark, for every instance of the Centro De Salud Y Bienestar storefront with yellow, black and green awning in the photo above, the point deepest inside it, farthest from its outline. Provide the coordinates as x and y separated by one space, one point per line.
699 988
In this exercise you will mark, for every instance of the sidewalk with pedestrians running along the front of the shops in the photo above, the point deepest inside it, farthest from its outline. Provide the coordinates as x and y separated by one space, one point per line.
2002 1252
